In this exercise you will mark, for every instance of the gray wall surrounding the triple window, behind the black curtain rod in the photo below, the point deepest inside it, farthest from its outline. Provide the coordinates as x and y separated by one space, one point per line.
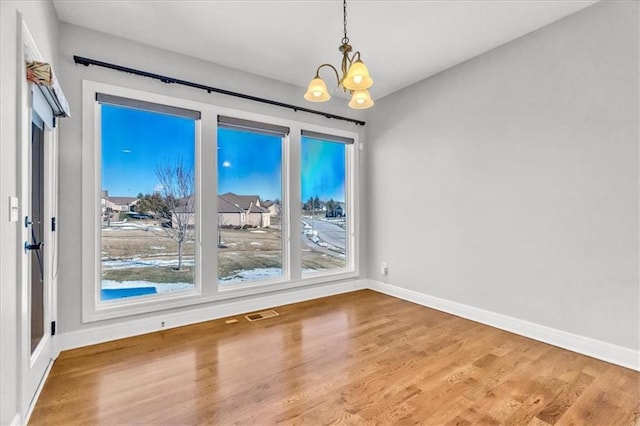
82 42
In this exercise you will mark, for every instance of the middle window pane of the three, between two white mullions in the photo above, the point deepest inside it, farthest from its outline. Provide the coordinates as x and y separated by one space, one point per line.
250 247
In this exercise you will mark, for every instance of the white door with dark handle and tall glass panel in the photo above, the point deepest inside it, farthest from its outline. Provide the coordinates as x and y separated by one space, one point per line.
39 245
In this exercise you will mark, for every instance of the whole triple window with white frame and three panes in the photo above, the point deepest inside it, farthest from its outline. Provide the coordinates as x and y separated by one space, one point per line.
186 203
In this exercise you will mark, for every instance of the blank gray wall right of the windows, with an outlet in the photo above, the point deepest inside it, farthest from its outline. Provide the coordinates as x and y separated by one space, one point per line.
510 182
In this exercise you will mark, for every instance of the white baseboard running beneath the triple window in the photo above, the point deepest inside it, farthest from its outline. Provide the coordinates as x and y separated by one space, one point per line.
106 333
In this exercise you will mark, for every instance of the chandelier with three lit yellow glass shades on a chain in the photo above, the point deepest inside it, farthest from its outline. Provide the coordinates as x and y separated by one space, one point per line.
355 76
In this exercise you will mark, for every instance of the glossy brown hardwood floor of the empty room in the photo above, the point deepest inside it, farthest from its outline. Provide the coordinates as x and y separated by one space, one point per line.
358 358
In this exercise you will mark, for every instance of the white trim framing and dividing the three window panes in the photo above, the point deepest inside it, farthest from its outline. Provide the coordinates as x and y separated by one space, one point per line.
205 291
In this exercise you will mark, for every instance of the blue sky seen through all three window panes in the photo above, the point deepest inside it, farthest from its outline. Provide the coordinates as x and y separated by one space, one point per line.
134 142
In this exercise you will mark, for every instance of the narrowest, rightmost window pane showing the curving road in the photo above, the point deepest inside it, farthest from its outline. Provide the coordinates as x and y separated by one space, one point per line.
324 207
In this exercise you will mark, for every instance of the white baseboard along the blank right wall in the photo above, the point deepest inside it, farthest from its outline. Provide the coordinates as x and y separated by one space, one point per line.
608 352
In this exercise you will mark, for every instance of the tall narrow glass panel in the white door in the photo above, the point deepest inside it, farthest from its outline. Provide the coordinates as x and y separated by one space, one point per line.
36 230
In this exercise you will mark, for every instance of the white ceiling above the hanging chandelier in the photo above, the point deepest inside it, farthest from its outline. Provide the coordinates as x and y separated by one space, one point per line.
401 42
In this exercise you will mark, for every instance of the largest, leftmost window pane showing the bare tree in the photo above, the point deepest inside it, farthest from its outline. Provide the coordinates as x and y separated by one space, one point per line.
148 202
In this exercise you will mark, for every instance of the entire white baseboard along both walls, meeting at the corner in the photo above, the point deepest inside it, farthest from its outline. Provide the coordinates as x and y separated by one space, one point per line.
608 352
